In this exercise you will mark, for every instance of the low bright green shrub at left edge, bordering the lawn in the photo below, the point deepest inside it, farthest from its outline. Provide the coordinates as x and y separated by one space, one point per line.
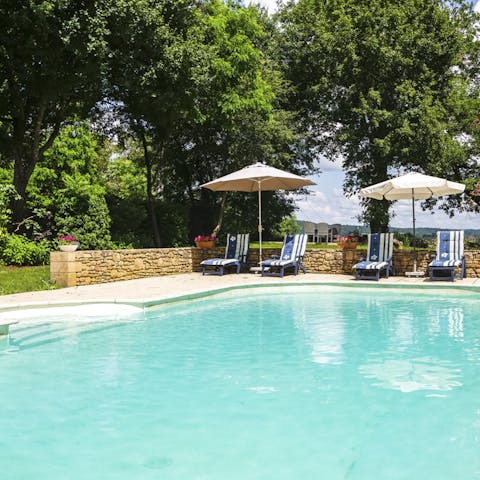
19 250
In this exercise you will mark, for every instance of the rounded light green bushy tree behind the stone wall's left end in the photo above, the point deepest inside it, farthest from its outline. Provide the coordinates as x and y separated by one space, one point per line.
66 195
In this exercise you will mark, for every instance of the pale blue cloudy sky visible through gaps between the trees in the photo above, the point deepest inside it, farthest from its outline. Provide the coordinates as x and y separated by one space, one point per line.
327 202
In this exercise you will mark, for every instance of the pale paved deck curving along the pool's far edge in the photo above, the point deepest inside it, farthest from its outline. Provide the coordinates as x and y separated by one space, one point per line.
149 290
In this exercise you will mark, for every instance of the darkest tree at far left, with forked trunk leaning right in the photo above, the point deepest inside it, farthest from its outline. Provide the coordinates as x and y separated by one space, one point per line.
51 58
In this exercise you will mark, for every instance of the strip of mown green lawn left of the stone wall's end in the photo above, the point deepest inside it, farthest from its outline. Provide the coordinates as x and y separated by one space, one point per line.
25 279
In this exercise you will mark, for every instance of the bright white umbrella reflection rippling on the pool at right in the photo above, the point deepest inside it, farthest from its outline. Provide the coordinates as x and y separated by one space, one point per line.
412 375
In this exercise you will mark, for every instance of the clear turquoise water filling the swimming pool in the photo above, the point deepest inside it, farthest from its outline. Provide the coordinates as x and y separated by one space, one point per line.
317 383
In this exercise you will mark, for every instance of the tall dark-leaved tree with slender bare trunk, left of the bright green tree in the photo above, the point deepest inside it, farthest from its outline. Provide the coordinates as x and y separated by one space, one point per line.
151 88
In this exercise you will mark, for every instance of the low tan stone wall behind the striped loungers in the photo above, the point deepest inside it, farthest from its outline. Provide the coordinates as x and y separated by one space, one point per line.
70 269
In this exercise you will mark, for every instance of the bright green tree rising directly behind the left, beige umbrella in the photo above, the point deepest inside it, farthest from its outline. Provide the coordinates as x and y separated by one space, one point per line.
241 122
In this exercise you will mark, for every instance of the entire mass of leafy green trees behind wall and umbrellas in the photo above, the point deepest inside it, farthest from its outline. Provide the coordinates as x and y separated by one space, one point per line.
113 113
